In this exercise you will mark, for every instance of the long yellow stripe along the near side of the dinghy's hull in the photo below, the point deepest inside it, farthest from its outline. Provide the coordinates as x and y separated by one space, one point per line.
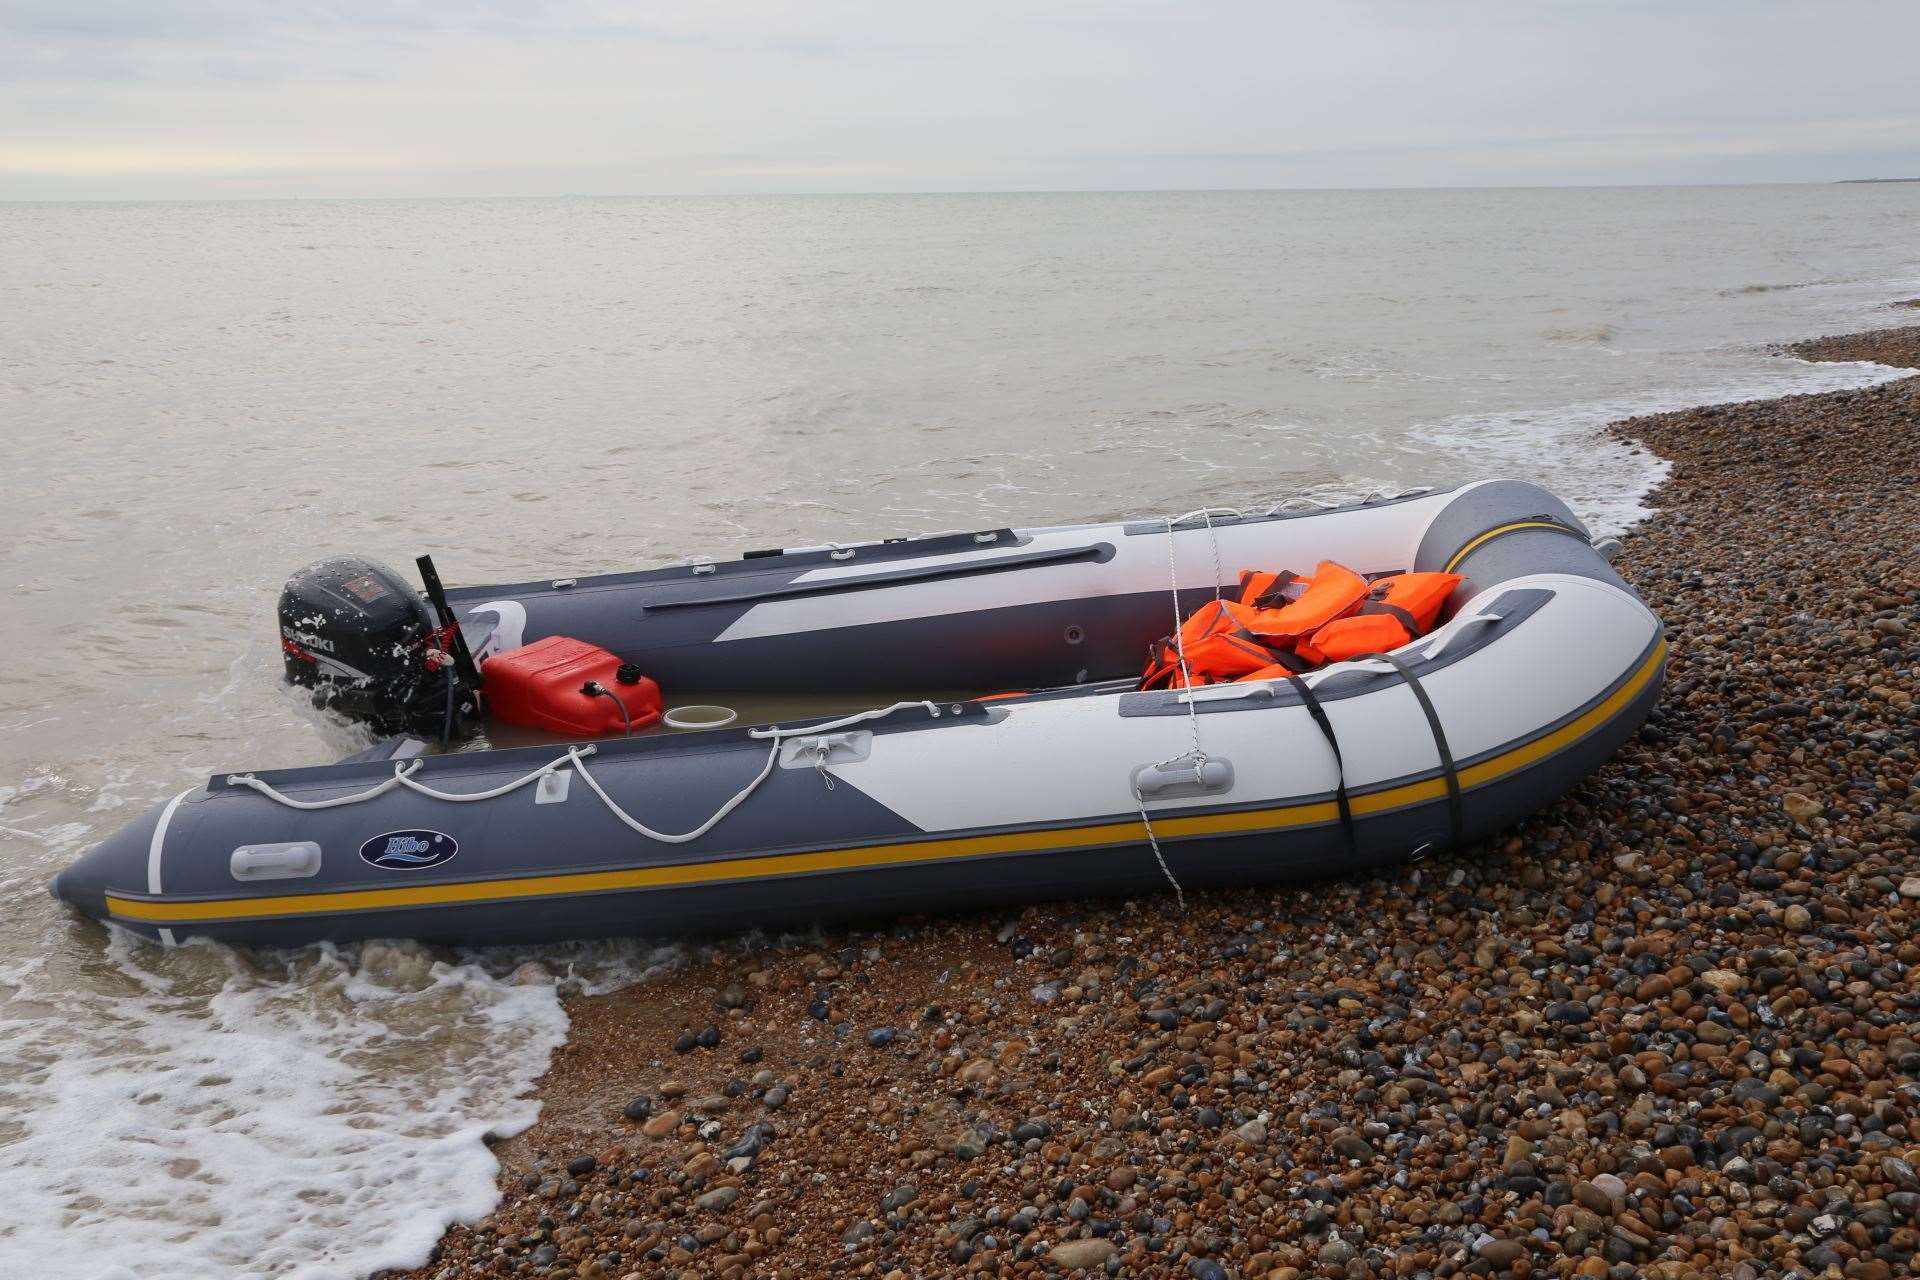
679 876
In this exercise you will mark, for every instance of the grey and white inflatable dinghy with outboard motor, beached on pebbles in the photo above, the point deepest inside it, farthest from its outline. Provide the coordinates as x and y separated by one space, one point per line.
1082 784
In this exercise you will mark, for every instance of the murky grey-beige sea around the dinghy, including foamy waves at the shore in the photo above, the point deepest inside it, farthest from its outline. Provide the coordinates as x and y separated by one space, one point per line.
199 398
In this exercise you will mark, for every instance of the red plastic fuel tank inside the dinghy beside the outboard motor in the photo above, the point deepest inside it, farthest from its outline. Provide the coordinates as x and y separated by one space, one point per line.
540 686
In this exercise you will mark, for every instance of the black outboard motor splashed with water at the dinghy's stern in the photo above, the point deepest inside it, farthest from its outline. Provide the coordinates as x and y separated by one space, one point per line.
366 642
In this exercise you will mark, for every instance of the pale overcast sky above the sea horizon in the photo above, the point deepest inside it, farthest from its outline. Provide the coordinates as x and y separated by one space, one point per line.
206 99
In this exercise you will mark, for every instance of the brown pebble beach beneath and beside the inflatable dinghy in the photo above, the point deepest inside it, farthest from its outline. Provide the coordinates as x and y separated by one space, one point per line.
1662 1028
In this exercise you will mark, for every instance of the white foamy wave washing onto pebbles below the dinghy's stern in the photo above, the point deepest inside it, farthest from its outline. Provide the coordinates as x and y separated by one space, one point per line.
318 1116
